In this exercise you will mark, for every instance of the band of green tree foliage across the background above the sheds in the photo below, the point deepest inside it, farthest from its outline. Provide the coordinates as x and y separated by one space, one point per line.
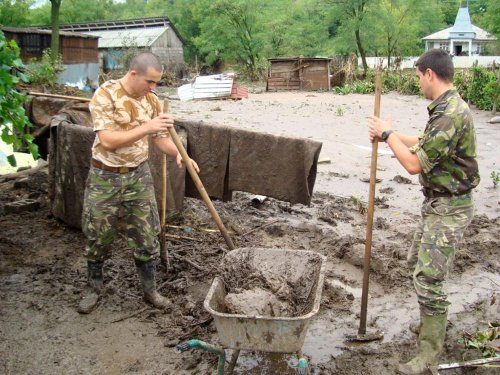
247 32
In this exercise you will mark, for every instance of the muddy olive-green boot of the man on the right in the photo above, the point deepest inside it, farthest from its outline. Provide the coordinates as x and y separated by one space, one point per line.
430 344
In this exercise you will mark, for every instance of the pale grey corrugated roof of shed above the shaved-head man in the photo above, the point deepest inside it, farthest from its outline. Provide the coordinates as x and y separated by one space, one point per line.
126 38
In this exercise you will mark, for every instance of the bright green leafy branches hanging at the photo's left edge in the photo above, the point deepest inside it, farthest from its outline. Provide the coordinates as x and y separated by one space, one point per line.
13 119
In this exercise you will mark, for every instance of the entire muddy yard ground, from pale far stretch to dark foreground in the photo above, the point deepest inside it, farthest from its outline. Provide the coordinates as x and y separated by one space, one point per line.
42 270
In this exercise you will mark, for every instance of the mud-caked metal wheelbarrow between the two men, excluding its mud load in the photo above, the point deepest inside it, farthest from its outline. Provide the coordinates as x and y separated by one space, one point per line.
303 269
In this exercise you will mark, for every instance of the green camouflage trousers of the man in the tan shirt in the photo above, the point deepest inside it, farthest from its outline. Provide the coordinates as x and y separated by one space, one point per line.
110 196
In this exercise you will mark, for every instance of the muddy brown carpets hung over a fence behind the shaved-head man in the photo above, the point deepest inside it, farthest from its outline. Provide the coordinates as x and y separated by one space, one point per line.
229 159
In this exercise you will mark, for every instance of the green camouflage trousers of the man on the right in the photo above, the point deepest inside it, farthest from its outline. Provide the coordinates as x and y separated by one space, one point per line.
431 255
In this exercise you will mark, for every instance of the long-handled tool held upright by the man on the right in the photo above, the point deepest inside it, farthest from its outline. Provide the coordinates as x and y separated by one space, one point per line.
362 335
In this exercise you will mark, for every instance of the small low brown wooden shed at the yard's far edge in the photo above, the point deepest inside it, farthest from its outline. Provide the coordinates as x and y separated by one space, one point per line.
298 73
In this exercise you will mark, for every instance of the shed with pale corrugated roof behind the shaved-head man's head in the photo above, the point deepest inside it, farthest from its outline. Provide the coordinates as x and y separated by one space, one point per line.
155 34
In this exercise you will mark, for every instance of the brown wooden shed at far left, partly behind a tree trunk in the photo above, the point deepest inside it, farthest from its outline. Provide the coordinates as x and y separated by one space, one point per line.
80 56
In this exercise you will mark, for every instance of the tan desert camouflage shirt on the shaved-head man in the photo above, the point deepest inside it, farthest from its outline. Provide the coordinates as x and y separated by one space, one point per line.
112 108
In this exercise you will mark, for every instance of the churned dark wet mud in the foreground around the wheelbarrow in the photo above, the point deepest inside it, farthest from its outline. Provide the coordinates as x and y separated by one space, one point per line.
43 274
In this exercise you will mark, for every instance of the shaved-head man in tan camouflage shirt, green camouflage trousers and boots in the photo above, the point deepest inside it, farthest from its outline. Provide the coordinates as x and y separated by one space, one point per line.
125 113
